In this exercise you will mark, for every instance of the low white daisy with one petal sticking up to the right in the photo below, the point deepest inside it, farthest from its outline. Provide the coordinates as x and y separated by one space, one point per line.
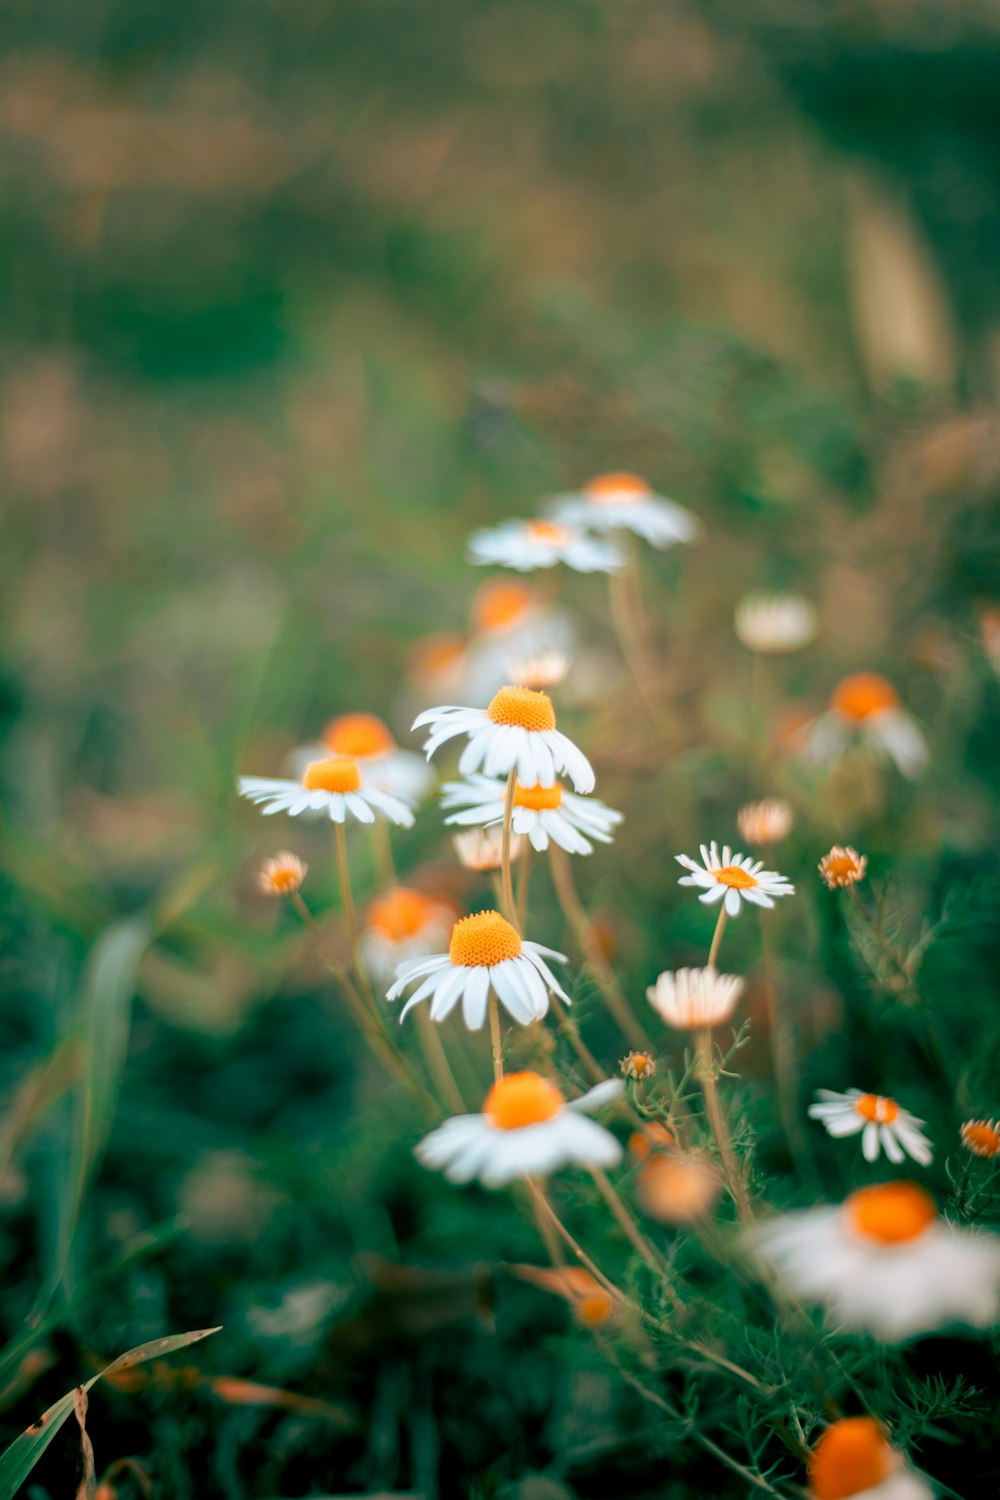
527 1130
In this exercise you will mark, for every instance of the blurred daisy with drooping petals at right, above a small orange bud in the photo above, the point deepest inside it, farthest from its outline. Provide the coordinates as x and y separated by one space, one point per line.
867 707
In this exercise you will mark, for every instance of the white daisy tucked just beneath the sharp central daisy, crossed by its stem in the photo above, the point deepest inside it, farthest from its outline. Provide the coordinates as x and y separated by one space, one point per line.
540 812
